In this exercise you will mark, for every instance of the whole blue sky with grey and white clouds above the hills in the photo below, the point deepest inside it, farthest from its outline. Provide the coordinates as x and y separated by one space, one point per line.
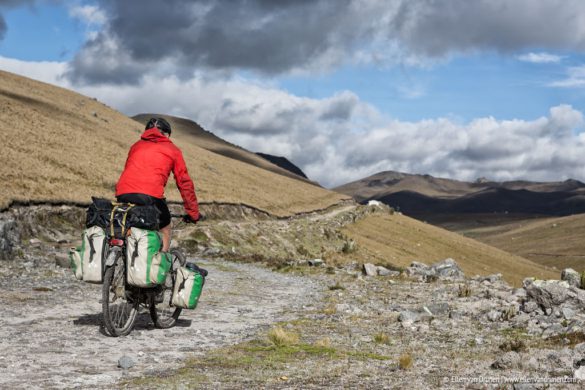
343 88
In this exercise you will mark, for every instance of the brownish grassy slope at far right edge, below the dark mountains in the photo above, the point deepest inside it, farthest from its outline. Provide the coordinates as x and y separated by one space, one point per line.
549 241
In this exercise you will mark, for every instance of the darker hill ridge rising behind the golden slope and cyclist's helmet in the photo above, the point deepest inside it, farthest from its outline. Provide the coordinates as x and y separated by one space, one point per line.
207 140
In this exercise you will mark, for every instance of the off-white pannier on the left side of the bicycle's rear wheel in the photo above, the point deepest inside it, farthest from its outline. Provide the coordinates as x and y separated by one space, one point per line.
92 254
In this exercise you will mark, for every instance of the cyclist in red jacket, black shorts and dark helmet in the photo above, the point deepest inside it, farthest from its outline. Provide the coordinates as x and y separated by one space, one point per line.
148 166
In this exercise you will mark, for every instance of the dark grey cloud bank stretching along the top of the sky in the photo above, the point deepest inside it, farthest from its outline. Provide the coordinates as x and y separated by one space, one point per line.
183 36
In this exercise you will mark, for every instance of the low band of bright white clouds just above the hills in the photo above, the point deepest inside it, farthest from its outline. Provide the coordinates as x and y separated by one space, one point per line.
342 138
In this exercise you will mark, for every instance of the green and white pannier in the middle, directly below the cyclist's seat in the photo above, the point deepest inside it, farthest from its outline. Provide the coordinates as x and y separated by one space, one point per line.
146 265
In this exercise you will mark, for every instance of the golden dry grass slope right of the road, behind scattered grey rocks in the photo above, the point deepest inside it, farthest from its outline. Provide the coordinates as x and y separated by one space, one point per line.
398 240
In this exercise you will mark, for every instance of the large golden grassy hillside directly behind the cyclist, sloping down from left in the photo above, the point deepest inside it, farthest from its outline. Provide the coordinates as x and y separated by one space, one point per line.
62 146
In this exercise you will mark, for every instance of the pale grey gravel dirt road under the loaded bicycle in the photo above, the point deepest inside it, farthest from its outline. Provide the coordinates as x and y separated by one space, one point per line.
51 335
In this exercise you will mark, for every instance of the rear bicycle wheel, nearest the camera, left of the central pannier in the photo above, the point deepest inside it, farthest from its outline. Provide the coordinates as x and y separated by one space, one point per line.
119 319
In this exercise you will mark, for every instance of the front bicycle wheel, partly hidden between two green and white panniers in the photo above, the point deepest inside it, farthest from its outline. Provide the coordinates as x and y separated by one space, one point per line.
163 314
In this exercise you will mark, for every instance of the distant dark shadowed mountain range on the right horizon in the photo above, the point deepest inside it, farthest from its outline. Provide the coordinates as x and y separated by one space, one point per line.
425 194
